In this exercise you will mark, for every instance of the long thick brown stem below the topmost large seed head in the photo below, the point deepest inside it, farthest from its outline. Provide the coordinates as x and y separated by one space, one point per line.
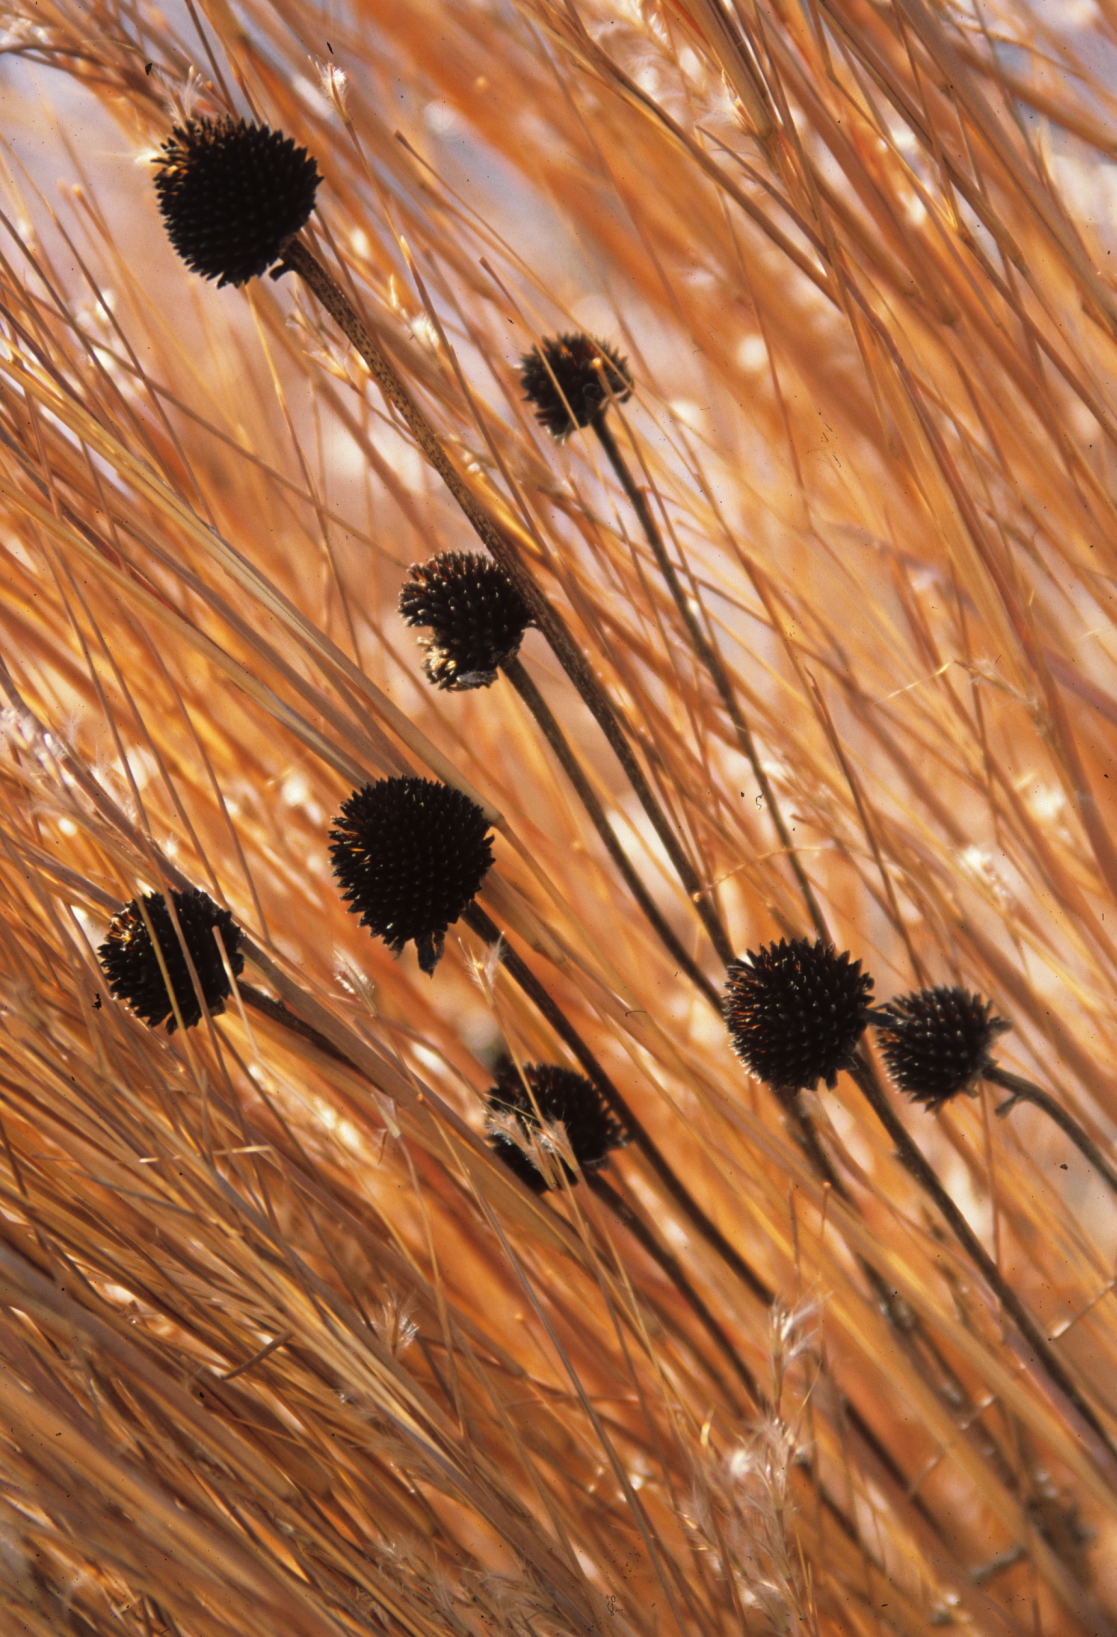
301 259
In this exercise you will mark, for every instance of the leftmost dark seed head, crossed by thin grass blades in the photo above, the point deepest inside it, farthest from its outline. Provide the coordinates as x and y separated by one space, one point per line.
132 965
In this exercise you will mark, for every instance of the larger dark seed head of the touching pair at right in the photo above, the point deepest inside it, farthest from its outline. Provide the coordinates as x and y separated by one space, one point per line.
797 1011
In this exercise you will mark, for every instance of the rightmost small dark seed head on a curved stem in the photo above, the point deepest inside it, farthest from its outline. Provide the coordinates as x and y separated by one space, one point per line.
938 1044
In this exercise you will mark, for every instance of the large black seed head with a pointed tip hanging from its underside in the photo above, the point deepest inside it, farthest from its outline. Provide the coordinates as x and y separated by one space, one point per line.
410 855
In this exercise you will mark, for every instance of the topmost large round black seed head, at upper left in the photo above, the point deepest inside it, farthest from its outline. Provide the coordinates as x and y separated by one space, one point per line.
232 196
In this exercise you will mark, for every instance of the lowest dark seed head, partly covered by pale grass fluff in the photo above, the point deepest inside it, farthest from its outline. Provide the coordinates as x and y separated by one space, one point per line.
543 1096
